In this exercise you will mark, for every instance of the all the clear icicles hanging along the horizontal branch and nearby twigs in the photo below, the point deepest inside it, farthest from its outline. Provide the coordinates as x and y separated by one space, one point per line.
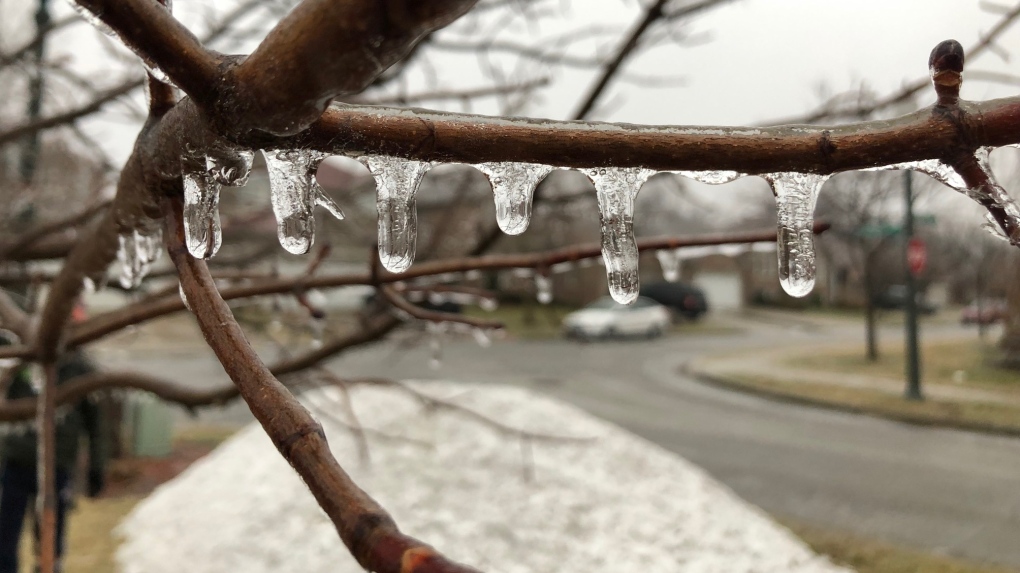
296 194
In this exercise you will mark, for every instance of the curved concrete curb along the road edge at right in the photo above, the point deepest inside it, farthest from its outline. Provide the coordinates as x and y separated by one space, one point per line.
724 383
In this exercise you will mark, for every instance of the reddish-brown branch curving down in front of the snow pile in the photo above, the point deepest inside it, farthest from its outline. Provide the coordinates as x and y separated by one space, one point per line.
365 527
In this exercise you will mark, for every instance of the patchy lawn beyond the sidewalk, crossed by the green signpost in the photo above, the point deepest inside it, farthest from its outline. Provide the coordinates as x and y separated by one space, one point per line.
962 363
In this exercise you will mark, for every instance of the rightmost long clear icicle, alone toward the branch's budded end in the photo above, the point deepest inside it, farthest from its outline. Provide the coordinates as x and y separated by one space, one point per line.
796 196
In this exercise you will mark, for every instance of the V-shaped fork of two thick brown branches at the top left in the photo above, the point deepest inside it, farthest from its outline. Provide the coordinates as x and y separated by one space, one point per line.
332 48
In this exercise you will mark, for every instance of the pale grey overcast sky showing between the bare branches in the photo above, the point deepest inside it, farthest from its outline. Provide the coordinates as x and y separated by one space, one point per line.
756 60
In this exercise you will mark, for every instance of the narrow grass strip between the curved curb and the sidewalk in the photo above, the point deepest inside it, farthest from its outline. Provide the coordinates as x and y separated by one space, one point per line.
980 416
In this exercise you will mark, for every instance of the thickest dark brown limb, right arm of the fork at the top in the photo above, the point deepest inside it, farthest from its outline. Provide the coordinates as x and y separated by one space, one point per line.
350 43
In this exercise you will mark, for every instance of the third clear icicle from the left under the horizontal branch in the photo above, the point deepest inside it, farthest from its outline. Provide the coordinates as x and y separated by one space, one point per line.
397 182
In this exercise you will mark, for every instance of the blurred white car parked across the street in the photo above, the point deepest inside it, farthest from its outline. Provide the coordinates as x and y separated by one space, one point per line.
606 319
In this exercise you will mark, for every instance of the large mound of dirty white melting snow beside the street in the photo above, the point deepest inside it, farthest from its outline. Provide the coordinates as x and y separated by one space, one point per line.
614 504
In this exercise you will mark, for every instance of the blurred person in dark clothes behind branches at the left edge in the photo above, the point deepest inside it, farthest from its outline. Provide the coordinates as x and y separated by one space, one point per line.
19 479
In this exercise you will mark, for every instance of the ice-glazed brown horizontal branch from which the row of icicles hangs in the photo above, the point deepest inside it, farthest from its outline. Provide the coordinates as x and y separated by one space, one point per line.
454 138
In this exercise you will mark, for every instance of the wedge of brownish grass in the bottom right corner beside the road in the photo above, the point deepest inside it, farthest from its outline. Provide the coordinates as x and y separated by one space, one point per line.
870 556
